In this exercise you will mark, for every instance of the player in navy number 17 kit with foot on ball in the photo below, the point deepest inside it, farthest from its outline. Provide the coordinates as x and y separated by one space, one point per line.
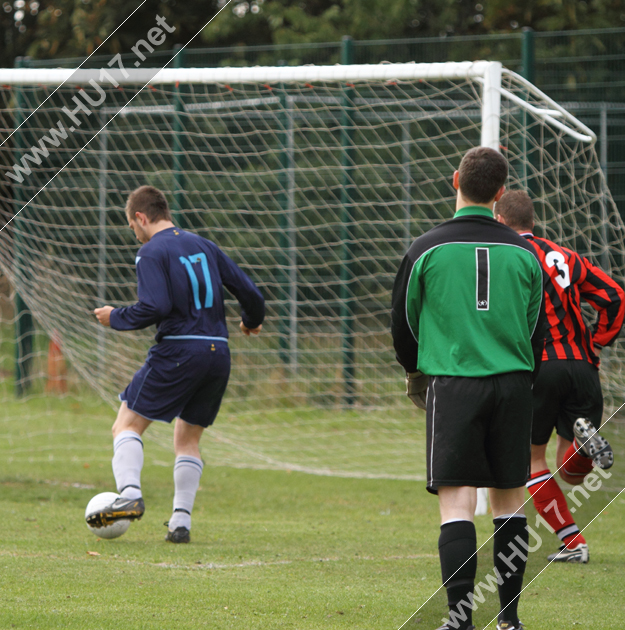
180 280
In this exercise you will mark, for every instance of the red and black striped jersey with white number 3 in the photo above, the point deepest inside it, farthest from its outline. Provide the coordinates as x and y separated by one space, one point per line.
569 279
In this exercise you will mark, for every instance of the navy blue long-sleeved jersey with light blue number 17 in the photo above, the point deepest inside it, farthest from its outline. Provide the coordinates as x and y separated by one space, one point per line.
180 280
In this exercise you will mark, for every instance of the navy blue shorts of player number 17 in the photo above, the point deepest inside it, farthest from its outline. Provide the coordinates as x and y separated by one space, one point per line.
181 378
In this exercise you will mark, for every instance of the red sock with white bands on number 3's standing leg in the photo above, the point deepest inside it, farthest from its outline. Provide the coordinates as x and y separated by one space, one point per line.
550 503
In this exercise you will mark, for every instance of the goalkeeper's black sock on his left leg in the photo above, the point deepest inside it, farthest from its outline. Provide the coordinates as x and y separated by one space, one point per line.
456 547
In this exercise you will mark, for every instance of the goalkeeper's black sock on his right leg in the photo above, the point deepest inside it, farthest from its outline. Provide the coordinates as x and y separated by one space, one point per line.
511 566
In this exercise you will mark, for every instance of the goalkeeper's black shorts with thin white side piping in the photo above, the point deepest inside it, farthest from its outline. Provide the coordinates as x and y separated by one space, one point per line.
478 431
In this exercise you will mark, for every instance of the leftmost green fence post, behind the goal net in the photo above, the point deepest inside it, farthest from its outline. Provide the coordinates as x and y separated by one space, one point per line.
24 326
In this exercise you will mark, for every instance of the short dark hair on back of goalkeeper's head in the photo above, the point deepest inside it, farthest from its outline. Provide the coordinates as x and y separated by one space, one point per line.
482 172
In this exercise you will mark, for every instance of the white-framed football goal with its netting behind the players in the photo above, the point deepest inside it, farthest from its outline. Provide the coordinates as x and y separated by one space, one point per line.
314 179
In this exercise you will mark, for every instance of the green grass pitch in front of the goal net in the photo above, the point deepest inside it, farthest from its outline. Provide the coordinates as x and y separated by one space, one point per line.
270 549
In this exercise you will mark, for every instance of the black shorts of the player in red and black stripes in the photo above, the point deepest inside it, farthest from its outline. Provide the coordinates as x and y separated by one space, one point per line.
564 391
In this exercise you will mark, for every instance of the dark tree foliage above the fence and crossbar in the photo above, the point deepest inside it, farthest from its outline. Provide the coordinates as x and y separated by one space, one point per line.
50 29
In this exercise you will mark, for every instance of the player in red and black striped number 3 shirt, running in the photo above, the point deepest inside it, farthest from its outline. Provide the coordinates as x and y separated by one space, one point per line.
567 392
